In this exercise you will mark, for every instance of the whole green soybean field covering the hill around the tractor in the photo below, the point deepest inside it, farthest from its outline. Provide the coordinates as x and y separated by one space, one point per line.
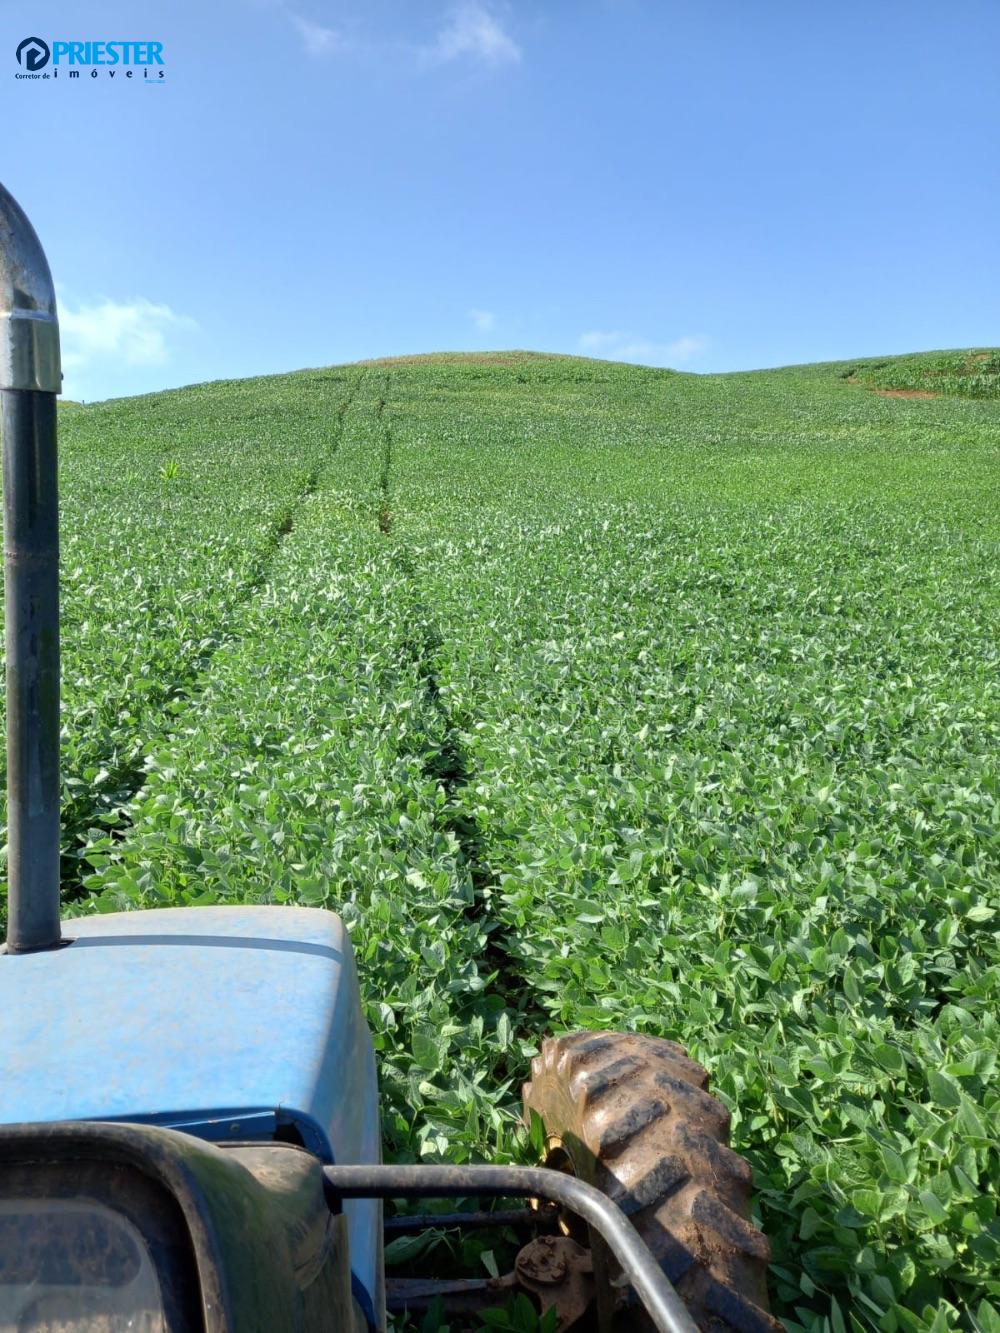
591 696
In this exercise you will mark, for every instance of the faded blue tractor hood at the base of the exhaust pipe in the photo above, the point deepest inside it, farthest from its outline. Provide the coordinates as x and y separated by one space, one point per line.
234 1024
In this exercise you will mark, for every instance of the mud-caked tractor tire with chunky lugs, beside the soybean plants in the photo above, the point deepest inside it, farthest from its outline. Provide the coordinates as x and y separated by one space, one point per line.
631 1115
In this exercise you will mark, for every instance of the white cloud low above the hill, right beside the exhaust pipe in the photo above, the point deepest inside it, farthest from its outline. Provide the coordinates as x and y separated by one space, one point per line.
118 333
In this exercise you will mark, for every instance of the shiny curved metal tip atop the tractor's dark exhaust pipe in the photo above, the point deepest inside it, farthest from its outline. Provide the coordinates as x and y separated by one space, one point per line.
29 321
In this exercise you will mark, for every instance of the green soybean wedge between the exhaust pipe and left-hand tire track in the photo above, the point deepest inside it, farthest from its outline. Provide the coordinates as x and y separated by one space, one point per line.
166 531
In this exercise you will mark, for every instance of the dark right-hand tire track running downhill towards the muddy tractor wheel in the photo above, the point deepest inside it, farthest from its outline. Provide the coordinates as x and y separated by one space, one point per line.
445 759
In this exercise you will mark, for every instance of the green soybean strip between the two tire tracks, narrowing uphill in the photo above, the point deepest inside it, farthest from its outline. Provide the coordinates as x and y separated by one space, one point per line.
311 767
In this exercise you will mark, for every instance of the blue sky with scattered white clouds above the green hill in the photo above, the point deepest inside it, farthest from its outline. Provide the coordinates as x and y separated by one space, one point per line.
711 186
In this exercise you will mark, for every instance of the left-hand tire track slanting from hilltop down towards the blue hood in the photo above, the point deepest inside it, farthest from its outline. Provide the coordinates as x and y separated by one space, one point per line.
127 779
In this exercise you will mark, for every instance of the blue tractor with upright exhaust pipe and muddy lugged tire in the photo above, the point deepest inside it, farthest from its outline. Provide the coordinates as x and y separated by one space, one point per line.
190 1127
